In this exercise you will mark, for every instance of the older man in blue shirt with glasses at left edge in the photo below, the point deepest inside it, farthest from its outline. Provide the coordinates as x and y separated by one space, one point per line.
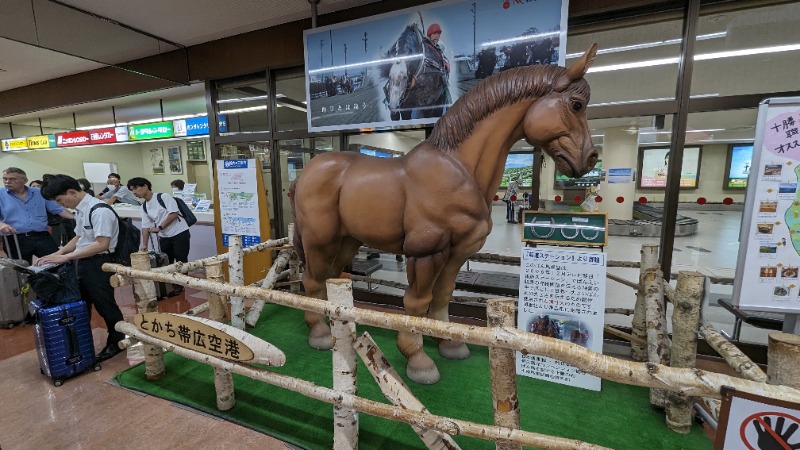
23 211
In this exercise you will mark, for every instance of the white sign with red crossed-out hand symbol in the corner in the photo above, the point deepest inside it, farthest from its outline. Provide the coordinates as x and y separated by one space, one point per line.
753 422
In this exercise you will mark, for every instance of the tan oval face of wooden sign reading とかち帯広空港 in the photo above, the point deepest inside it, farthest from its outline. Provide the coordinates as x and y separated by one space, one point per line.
192 334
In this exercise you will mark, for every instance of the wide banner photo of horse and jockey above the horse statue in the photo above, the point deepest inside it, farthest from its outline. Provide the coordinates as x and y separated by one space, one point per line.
408 67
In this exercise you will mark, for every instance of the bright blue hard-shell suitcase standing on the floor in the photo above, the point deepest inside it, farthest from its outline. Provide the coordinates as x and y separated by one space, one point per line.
64 341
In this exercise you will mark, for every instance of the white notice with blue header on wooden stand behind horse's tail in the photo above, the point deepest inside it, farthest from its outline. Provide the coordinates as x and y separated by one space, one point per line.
238 200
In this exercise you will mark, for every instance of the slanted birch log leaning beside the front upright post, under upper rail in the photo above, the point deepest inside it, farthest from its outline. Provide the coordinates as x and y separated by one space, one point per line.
396 391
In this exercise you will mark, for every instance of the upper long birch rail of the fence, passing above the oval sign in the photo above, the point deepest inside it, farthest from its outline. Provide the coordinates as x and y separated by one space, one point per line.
689 382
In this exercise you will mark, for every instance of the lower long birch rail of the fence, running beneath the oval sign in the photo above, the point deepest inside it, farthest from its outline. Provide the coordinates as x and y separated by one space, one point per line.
444 424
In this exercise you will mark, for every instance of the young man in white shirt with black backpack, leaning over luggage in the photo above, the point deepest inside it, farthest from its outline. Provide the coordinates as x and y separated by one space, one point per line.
97 238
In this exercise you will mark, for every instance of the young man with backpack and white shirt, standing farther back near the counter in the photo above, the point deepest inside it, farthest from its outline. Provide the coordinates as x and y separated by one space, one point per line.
162 215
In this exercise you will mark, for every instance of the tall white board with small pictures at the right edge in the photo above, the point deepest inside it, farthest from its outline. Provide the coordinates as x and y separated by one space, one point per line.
769 251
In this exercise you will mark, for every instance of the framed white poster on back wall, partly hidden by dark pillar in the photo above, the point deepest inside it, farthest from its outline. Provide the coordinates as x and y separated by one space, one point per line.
654 166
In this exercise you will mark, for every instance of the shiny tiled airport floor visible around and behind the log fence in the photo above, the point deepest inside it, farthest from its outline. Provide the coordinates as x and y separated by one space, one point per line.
89 412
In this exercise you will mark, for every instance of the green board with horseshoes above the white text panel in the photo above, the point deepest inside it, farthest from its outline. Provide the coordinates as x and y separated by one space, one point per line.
565 228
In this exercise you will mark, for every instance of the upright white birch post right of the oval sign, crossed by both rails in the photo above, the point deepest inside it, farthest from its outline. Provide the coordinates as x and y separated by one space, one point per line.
345 365
